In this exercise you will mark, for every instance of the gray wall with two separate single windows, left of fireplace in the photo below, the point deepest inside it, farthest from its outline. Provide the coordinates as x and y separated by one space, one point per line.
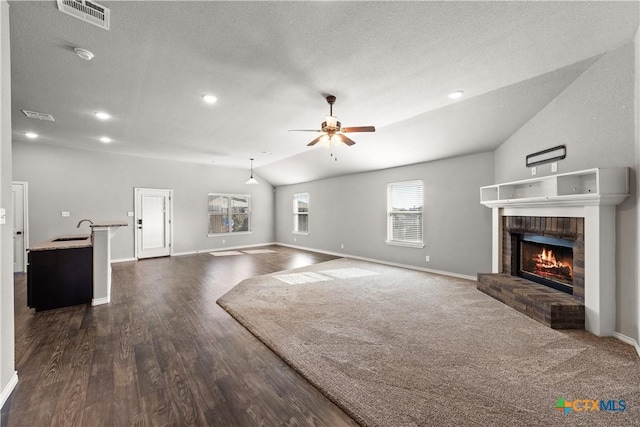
351 210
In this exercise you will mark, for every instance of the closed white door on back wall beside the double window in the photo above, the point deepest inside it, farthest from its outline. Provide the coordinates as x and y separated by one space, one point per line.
152 222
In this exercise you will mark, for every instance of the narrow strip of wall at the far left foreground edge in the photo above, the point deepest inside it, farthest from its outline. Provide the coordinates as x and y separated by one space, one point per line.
7 366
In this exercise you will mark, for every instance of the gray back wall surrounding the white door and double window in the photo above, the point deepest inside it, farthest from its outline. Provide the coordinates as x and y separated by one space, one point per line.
101 186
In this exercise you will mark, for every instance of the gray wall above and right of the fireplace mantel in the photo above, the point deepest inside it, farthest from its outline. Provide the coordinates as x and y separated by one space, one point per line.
595 118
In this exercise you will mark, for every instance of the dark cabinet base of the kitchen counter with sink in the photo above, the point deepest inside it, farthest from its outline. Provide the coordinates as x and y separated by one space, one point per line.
59 278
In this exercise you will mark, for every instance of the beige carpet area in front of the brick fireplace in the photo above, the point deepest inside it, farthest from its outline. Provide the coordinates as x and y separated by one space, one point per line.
396 347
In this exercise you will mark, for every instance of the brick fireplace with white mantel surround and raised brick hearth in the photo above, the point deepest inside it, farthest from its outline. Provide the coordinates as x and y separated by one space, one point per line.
579 207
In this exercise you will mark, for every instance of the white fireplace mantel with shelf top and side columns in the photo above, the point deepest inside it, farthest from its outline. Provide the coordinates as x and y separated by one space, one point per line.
590 194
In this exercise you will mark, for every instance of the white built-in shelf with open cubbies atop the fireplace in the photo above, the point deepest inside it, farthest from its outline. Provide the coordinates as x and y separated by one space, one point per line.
587 187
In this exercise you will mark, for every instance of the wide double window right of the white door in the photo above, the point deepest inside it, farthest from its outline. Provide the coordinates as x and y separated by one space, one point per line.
229 213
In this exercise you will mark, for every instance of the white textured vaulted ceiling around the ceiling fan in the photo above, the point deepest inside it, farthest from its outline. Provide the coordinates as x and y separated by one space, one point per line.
390 64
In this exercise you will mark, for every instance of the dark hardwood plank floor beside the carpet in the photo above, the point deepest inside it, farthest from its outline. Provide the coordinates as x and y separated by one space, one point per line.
161 353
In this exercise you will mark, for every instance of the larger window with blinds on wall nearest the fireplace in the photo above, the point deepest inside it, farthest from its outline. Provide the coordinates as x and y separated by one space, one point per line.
404 212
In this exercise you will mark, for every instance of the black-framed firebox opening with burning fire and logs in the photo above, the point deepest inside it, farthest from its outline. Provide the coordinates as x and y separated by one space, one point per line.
547 260
